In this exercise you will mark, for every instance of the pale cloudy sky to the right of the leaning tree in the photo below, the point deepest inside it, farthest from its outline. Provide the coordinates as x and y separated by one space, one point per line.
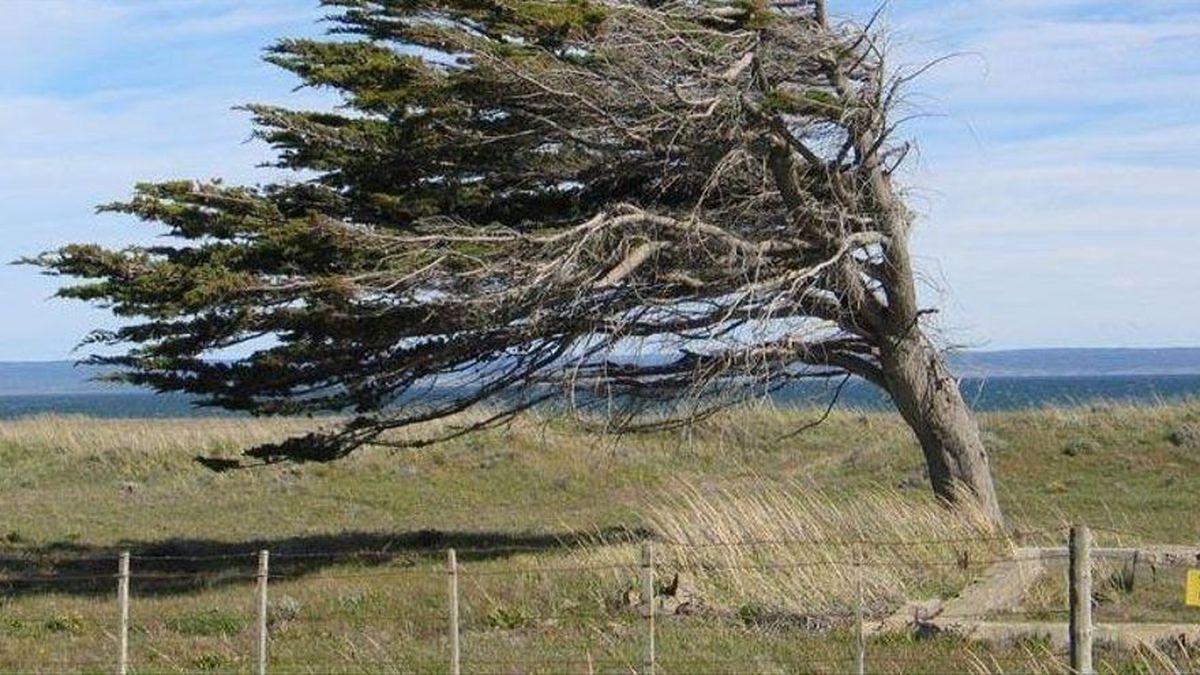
1060 194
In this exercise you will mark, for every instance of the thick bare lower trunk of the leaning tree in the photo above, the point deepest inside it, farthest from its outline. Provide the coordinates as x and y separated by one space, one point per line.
929 401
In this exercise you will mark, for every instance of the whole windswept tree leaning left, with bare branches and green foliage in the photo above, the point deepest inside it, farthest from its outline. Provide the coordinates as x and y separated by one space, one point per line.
651 208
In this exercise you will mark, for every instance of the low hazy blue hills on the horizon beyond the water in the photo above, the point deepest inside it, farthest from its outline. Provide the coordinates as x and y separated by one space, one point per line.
64 378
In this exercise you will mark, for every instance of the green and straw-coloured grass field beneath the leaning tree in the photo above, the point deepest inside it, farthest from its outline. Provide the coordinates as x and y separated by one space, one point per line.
547 518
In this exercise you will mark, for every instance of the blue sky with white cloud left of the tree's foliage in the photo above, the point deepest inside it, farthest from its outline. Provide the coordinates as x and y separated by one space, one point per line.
99 95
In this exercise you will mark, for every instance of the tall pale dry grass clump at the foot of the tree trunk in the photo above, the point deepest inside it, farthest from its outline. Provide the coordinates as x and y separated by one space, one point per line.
766 551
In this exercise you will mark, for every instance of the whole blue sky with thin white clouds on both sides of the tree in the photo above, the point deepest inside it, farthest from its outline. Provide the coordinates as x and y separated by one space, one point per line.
1058 181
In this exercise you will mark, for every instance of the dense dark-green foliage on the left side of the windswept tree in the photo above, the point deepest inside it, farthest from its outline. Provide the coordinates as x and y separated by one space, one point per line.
436 123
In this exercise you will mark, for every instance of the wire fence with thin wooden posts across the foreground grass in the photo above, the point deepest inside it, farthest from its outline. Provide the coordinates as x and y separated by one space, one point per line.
476 625
